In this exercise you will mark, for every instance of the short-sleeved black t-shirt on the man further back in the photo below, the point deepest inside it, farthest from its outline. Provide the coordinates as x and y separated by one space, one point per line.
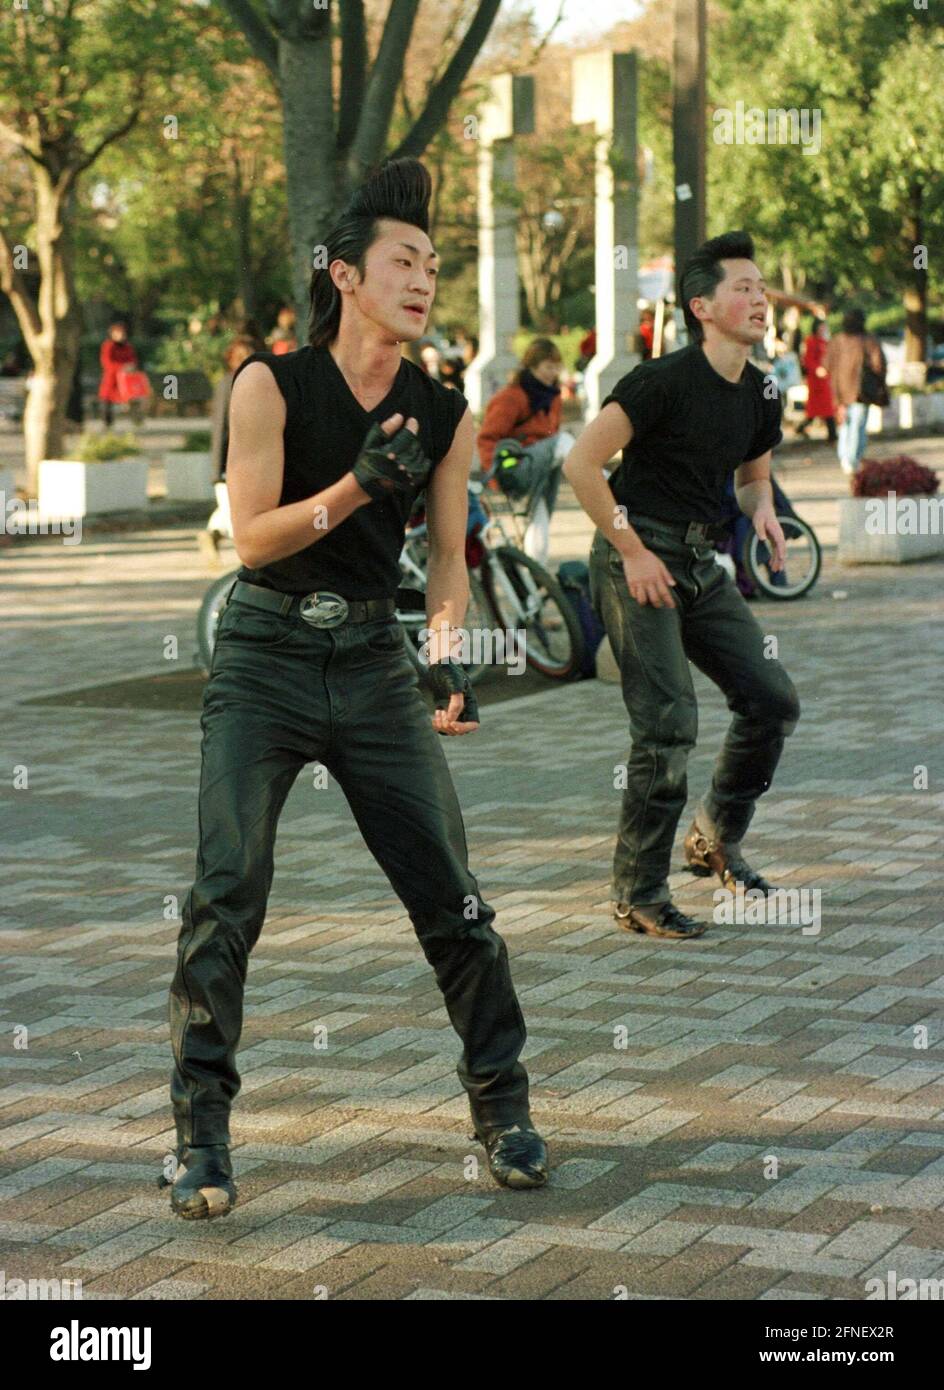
692 429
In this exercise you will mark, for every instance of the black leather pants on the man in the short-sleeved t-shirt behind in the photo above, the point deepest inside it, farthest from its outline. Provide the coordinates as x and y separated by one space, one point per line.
713 628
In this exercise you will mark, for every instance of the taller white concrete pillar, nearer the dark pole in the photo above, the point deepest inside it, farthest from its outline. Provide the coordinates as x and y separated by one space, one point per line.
605 95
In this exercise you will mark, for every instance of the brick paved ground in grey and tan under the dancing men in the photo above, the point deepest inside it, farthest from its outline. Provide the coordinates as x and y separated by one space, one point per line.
668 1078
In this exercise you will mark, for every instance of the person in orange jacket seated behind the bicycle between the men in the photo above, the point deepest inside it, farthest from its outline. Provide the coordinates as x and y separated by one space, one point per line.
526 418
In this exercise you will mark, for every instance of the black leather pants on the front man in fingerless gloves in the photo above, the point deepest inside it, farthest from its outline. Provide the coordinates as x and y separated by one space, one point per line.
283 694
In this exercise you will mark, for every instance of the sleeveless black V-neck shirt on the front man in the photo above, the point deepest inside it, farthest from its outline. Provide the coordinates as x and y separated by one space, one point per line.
325 432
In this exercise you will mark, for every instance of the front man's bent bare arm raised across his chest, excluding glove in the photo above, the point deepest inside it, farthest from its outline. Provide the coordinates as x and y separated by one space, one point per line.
263 532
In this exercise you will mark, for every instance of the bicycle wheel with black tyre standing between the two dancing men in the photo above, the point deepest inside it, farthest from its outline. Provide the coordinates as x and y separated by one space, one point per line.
525 597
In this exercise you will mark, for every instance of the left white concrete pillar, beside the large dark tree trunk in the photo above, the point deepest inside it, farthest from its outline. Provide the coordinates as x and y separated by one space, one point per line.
508 112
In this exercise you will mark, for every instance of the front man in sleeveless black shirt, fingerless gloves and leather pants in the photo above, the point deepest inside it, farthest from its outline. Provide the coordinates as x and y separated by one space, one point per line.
329 450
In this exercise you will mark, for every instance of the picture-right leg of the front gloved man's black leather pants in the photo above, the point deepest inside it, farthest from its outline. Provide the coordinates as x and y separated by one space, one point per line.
393 769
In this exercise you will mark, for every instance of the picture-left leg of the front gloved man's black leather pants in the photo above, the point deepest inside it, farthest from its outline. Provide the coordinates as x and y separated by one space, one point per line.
257 737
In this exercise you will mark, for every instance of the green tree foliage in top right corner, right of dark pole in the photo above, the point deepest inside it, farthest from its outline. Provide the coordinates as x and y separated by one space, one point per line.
839 219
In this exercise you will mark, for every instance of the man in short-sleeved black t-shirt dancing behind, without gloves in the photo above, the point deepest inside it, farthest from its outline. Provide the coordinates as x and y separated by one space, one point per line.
685 425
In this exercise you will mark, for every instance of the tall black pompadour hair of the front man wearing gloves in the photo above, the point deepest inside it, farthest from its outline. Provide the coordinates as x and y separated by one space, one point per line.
397 188
